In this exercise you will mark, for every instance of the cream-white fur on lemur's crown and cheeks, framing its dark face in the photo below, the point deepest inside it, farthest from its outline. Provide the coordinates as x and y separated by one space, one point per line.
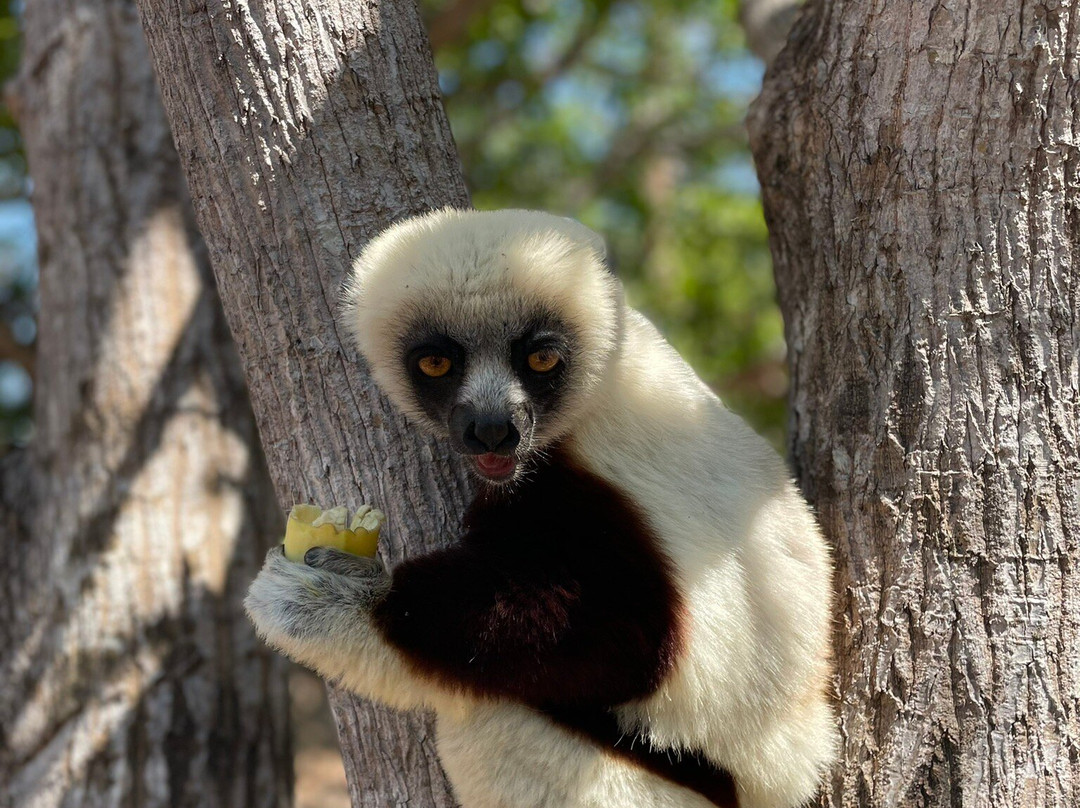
448 272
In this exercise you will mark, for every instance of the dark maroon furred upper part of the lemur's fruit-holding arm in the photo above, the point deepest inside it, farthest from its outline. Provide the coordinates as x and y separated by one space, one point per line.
544 628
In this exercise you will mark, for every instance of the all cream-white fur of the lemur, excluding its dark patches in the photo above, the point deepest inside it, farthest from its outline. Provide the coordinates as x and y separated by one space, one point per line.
749 686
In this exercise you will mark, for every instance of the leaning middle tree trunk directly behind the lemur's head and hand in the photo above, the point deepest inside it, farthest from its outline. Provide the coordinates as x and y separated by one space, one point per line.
305 127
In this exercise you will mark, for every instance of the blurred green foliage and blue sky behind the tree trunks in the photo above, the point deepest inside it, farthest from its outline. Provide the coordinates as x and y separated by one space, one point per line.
626 115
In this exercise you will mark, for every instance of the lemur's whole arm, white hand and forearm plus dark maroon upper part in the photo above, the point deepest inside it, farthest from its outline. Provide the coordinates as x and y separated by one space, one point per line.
458 624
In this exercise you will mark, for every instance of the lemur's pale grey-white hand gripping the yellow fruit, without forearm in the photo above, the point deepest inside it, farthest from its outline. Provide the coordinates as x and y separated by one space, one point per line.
304 609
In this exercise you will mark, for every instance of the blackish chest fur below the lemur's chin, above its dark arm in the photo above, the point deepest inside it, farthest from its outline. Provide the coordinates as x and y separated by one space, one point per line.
572 534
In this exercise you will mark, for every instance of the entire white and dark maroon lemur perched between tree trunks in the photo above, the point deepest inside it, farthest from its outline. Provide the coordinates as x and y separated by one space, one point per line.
638 612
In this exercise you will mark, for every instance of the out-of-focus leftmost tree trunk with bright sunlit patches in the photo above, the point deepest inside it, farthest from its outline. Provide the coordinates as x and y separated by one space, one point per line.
133 524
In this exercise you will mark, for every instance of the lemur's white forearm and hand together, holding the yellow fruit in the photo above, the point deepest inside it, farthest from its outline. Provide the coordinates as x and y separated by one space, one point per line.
320 615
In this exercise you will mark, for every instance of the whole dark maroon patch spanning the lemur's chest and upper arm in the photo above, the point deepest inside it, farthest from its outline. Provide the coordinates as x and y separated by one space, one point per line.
558 596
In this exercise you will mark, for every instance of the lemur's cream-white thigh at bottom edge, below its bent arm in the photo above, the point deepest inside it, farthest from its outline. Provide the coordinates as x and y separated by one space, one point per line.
506 756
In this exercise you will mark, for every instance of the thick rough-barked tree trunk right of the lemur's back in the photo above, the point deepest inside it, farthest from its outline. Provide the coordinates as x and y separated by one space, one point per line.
921 172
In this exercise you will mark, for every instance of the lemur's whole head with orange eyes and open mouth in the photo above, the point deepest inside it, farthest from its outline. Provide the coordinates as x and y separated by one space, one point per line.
491 329
